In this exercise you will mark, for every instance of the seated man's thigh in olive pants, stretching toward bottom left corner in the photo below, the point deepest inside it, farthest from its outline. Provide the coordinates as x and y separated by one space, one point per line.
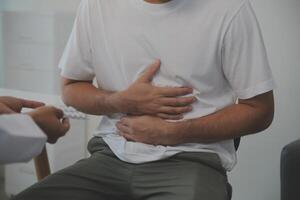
99 177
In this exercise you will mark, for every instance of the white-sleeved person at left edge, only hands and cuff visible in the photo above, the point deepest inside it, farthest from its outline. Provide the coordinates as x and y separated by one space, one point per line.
22 136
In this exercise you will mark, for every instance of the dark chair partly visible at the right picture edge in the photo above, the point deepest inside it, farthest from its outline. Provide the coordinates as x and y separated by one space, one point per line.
290 171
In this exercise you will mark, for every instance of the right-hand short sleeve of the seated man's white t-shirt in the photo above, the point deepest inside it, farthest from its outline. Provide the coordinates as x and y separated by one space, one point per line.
244 58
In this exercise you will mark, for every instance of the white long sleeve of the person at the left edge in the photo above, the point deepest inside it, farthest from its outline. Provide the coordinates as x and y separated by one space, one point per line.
20 138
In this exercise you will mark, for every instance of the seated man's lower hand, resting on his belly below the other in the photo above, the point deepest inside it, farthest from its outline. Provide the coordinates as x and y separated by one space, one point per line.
148 130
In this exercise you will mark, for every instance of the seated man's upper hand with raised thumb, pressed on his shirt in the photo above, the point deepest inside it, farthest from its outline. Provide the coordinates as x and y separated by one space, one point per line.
165 102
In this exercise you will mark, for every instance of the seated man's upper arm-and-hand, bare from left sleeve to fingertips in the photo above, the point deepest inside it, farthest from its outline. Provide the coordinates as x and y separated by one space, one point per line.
140 98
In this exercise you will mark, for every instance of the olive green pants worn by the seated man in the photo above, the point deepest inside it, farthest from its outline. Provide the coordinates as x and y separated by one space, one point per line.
185 176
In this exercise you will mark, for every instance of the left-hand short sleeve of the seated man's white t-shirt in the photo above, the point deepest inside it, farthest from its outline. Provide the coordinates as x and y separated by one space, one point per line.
76 62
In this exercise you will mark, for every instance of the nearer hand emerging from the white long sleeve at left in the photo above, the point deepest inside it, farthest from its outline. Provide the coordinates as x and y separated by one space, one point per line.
51 120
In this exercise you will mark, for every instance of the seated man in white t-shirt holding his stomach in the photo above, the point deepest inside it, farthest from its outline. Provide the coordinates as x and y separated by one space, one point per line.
168 129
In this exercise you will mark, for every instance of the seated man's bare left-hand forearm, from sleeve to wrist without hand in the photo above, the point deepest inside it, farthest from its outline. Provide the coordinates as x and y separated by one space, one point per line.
88 99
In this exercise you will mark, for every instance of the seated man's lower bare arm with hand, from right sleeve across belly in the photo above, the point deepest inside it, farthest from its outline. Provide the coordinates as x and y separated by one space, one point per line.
247 117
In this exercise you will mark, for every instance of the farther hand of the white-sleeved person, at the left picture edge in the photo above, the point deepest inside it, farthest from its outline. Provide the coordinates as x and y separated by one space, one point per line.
10 105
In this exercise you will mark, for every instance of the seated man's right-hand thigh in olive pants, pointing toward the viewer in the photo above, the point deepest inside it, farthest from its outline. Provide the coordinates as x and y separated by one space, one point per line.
187 176
